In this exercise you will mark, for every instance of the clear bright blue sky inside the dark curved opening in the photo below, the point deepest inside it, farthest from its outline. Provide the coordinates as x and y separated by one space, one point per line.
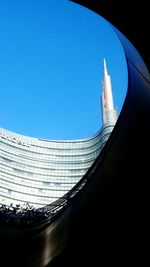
51 68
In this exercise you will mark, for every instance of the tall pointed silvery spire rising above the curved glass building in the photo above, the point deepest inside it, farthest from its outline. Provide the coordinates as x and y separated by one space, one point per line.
107 97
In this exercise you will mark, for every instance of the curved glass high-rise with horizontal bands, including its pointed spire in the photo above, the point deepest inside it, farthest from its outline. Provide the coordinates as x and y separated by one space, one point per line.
39 171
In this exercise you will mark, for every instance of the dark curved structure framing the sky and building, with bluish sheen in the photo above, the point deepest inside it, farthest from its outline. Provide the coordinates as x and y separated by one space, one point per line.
106 221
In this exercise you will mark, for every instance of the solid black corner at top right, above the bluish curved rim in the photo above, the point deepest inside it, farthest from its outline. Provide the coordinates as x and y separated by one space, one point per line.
132 19
